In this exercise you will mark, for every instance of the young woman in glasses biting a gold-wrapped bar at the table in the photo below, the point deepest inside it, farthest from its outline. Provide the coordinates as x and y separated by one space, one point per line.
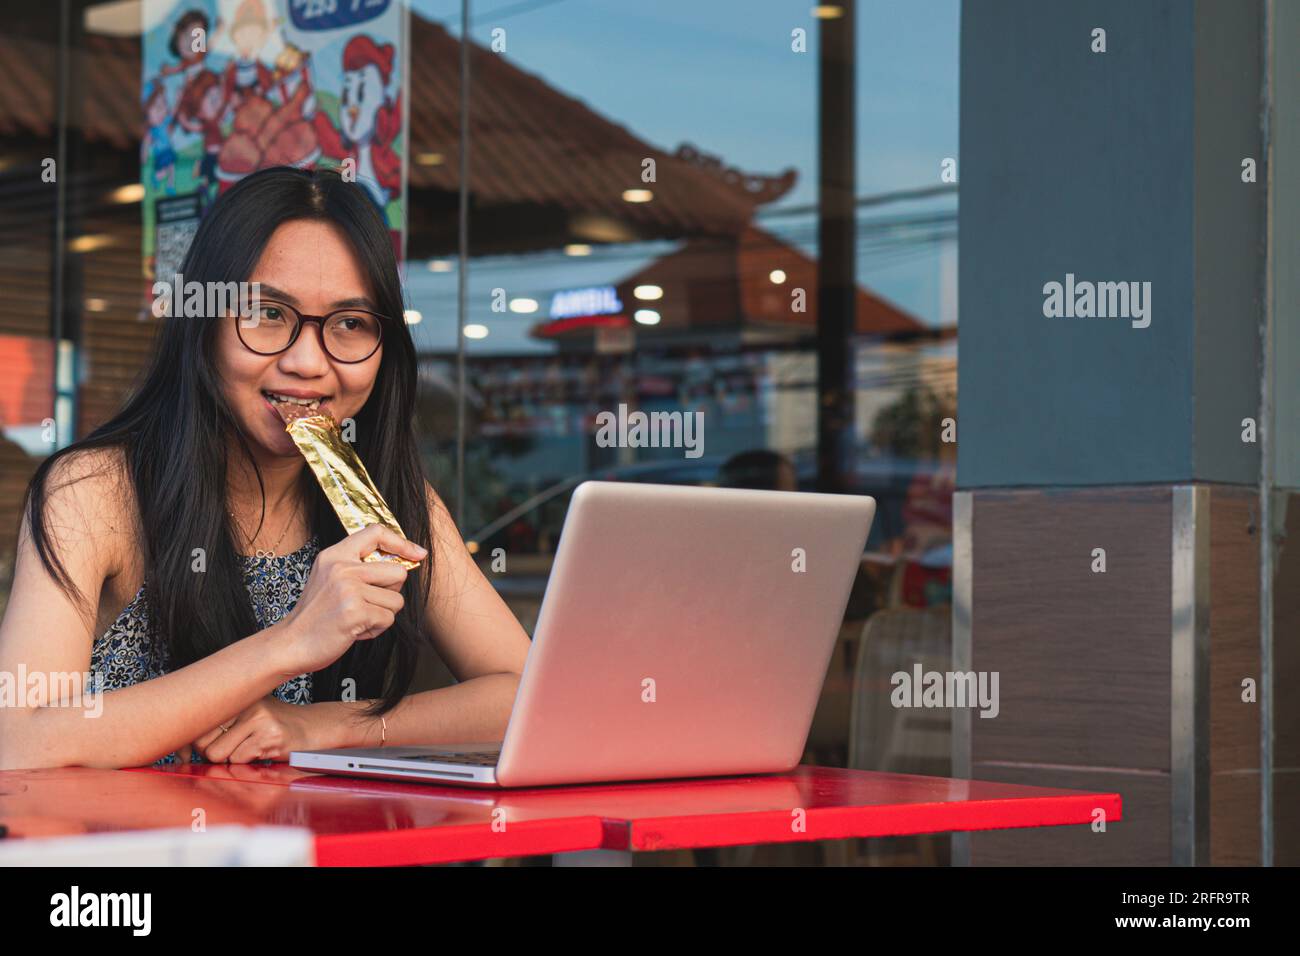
184 555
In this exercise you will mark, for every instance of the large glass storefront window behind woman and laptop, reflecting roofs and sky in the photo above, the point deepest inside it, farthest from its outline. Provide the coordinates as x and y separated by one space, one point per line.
643 240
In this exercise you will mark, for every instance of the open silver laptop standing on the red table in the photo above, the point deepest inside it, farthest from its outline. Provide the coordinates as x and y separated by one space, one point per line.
684 633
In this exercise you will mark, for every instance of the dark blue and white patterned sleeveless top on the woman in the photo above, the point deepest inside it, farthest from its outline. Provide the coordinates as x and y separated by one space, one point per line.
129 651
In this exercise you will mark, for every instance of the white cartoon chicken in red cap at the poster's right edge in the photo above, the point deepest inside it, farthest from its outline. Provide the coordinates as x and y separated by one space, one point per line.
369 120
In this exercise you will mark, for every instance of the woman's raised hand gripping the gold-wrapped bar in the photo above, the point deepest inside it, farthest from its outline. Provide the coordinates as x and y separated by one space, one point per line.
346 599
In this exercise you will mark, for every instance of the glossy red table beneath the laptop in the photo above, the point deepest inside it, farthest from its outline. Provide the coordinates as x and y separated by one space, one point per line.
379 823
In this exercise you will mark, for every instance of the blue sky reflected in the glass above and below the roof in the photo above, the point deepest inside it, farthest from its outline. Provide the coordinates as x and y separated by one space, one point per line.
721 75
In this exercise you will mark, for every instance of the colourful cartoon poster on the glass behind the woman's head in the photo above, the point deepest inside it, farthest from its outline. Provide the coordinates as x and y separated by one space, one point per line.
232 86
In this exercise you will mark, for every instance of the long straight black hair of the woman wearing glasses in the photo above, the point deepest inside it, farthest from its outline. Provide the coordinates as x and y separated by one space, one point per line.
177 431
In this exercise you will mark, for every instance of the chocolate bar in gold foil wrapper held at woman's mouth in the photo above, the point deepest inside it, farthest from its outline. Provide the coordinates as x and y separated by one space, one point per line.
343 477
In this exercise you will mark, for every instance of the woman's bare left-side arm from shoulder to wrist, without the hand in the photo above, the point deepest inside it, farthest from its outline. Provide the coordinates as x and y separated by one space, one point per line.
47 635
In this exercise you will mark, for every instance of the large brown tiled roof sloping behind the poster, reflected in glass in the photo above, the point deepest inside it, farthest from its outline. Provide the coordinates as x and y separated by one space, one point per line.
531 145
